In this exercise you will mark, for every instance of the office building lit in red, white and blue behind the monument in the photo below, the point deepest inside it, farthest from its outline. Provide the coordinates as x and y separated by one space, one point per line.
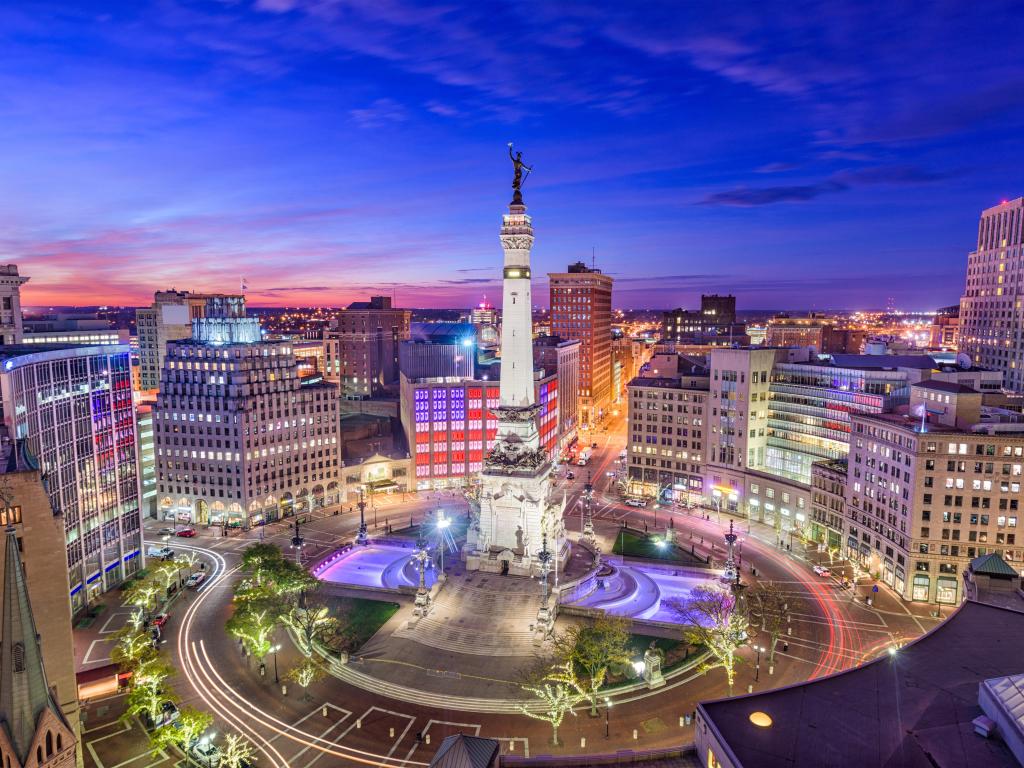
451 426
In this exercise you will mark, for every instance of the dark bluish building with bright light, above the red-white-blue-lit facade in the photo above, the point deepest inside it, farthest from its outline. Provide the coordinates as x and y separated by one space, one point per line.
445 351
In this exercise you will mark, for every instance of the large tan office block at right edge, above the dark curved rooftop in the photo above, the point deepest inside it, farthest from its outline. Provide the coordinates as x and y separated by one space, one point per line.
930 491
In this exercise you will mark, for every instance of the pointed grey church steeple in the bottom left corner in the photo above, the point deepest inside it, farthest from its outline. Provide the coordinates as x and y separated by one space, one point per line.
31 718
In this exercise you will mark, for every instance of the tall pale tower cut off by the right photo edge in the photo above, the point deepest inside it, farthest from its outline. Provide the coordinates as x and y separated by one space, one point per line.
992 316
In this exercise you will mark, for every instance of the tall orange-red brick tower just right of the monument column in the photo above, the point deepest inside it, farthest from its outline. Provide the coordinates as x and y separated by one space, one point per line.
581 309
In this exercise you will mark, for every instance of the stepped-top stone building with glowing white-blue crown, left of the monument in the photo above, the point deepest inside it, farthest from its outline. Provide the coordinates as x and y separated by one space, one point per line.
240 439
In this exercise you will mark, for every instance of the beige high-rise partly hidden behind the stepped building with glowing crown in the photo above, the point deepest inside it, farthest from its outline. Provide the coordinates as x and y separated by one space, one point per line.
170 318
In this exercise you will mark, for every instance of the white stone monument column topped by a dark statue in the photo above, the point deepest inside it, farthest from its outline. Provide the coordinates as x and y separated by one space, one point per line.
518 511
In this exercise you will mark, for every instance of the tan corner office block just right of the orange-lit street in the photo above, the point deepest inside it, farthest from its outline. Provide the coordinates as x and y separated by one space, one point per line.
667 417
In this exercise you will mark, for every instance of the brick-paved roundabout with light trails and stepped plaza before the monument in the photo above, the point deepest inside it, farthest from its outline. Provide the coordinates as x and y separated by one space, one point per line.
393 706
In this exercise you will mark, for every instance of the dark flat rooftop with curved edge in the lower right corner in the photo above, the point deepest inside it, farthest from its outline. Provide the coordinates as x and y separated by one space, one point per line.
913 709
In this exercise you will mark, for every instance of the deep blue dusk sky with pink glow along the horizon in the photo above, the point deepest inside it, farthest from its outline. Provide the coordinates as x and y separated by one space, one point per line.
799 155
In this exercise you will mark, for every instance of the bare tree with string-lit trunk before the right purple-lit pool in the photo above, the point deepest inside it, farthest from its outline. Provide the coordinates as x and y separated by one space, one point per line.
712 619
